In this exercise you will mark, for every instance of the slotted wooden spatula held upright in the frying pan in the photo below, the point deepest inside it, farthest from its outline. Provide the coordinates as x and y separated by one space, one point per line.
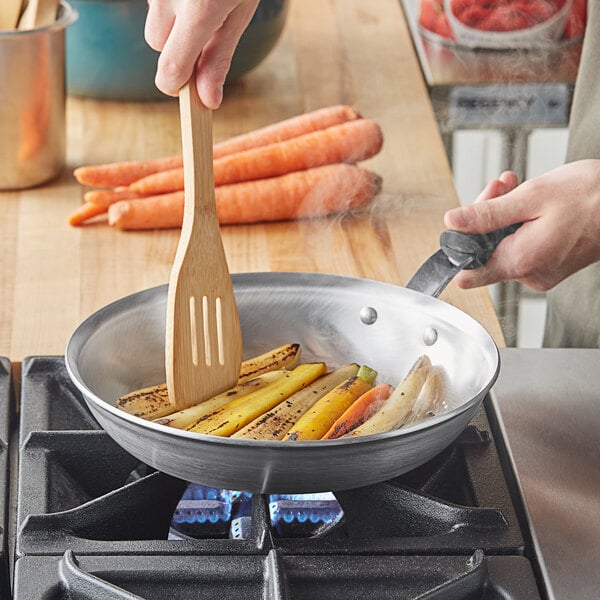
203 336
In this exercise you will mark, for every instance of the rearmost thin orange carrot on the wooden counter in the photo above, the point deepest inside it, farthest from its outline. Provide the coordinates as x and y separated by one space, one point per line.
125 173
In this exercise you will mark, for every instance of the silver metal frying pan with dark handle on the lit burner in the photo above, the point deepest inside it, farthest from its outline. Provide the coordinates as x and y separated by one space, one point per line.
336 319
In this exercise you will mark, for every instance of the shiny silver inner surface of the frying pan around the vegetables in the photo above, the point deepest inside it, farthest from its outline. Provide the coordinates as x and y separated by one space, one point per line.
121 347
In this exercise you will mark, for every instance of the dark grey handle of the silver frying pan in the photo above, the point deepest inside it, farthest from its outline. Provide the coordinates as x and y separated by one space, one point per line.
457 251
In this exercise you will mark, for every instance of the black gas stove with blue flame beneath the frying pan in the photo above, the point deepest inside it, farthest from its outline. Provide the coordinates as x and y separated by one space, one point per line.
87 520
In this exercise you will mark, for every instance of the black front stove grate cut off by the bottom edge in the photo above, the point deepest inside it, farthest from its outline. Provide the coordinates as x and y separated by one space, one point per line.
276 576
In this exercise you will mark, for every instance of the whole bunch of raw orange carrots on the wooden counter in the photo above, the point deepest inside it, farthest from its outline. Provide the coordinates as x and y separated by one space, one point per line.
301 167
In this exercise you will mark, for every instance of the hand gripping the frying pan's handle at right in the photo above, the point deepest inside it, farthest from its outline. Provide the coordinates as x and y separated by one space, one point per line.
560 235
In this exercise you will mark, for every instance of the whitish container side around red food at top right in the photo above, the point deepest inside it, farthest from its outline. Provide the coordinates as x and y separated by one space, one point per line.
545 33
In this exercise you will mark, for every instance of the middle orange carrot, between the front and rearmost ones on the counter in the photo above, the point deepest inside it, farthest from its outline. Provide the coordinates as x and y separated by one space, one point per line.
349 142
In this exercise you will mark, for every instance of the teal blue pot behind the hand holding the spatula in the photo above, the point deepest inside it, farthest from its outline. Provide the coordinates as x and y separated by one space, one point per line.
108 58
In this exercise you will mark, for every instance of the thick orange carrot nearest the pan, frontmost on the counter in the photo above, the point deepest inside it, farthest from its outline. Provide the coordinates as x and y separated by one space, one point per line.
303 194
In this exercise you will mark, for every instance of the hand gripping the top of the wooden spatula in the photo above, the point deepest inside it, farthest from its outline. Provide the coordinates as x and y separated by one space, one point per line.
202 33
